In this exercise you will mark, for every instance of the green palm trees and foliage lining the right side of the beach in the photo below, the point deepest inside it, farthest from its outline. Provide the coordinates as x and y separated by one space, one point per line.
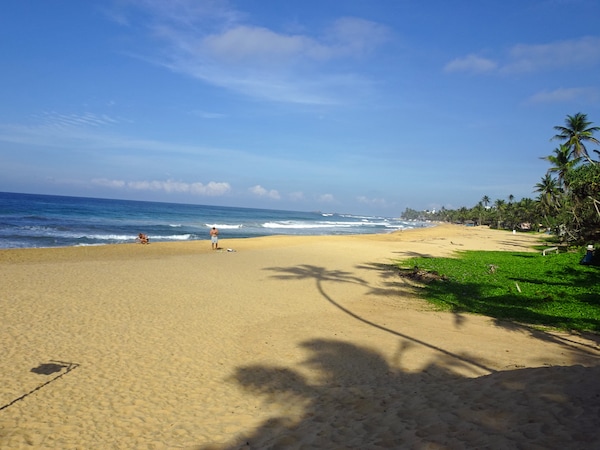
568 201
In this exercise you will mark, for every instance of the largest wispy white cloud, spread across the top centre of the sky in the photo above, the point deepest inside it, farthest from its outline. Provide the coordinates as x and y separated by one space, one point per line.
214 43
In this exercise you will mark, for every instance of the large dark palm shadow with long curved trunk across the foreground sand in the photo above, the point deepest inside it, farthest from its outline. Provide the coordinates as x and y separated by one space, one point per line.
356 400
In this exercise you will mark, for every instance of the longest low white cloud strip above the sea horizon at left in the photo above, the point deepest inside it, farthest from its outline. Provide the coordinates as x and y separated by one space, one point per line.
211 189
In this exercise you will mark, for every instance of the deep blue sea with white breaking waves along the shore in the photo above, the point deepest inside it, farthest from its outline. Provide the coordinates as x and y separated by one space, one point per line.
28 221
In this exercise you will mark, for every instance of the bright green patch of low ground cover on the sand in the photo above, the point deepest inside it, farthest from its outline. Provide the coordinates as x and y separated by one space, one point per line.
553 290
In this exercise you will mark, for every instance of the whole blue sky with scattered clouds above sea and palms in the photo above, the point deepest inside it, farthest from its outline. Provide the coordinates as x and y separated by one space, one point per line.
332 105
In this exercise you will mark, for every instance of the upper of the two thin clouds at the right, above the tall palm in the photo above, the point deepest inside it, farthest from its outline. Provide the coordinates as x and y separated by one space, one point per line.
524 58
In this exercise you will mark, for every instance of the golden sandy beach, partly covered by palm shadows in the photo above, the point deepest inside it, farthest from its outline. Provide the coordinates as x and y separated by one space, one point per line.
285 342
